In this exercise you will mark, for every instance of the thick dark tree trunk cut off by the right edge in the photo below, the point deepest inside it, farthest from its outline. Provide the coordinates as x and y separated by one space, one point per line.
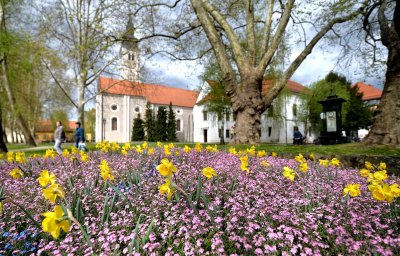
386 129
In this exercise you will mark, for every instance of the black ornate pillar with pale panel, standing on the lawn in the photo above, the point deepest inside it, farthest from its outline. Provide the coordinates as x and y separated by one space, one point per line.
331 120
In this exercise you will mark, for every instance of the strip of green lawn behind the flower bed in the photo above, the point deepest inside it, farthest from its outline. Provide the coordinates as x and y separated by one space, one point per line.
325 150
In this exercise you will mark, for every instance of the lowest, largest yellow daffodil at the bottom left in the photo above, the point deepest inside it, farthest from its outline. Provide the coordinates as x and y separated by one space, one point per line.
55 221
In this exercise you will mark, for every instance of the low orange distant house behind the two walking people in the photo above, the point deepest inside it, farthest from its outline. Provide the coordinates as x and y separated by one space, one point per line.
44 131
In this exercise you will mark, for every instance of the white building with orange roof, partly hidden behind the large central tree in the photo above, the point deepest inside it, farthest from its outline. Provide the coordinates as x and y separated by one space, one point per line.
277 123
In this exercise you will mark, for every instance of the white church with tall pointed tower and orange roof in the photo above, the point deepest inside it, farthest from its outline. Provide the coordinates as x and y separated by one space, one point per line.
120 101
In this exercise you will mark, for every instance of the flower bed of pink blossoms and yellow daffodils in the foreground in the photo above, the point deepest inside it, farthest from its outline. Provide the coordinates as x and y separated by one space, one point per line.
194 201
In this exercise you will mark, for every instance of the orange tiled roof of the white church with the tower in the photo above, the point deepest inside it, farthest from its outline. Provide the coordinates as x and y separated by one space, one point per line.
154 93
